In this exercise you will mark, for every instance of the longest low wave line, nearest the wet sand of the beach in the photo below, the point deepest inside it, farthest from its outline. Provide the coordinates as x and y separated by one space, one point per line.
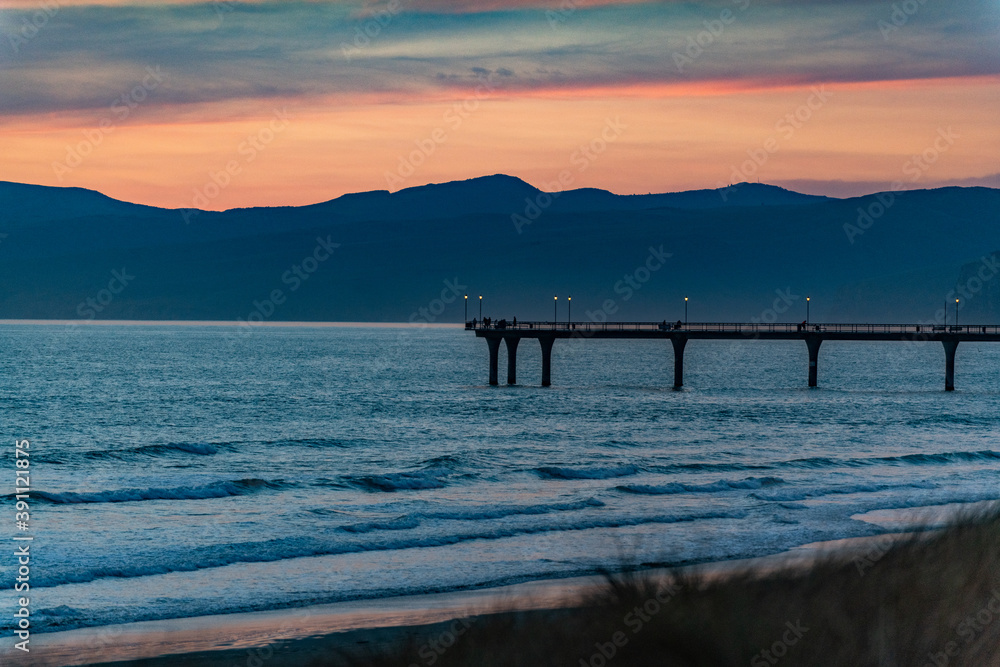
280 549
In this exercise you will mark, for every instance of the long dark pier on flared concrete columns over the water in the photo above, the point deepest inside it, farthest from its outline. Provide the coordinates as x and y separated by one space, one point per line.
679 334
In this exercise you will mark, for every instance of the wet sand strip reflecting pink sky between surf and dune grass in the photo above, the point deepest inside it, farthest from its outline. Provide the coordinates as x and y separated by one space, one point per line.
301 634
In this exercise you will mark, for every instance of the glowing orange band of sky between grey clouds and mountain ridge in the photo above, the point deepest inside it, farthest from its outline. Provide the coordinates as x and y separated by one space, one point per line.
669 142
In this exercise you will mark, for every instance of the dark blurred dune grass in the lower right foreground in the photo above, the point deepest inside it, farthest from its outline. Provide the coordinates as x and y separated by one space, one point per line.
932 598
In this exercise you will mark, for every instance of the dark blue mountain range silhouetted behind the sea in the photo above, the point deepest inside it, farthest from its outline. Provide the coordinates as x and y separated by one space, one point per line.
750 251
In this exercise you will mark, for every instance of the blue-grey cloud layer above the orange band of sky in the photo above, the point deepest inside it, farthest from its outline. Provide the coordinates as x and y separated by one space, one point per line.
84 57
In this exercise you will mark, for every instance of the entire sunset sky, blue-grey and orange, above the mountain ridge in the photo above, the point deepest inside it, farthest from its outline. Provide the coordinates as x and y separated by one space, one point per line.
219 105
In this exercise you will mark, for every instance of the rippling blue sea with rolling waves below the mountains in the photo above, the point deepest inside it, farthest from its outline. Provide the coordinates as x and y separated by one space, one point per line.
190 470
